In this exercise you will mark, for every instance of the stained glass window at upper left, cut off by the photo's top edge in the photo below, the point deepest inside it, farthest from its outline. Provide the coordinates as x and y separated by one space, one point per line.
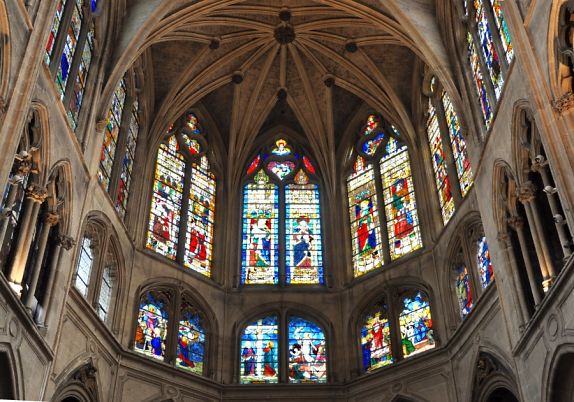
69 52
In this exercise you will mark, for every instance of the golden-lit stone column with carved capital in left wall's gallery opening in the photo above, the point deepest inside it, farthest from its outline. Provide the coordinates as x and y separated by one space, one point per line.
34 197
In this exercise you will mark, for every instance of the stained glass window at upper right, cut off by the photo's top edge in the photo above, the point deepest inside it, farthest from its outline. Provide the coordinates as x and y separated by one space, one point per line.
489 50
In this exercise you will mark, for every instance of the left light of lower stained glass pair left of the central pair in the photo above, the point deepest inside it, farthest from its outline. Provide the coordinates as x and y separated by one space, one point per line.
151 330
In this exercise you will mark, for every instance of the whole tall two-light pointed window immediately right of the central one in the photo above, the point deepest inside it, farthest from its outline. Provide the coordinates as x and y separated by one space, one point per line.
388 187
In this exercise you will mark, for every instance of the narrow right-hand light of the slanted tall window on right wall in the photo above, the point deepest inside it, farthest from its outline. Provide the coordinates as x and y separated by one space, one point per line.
458 144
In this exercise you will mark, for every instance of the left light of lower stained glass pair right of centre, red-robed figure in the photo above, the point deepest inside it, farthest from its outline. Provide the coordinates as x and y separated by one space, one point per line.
376 339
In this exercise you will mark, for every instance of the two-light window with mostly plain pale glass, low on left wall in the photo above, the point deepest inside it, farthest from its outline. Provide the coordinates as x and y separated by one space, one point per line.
97 274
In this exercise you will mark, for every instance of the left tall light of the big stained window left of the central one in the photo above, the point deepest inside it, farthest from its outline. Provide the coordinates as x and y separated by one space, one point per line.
166 200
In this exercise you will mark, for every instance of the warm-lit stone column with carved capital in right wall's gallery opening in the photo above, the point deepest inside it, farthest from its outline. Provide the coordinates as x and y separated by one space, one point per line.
526 195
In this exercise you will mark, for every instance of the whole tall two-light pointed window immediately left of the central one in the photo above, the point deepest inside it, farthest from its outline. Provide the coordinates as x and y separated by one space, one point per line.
183 201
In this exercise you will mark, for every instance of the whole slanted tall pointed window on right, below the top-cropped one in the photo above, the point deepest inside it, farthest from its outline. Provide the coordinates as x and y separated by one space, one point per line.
451 166
